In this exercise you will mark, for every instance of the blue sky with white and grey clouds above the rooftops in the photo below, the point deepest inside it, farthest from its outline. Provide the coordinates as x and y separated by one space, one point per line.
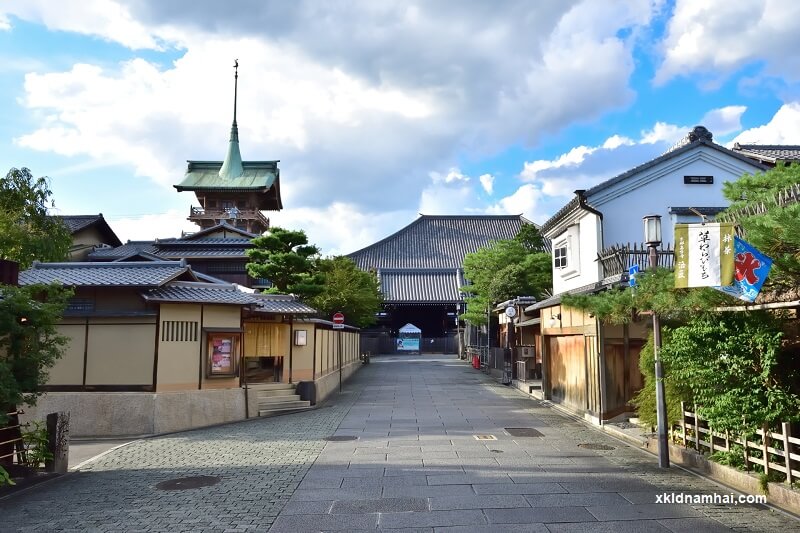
380 110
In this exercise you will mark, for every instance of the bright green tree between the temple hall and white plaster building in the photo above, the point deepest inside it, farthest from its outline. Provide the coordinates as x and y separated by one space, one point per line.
504 270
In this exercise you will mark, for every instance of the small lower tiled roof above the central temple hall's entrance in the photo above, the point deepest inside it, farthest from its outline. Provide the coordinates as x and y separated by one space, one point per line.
421 285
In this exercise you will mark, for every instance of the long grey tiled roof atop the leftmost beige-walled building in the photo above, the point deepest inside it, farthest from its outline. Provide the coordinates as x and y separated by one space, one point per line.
133 274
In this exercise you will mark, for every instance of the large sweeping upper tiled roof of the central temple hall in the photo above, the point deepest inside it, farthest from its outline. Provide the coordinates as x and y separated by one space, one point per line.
437 241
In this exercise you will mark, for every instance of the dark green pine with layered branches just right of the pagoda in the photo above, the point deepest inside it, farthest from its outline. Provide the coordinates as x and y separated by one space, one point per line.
286 259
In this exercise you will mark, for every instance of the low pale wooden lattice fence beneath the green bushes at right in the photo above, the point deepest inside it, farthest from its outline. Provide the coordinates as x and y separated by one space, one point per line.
773 450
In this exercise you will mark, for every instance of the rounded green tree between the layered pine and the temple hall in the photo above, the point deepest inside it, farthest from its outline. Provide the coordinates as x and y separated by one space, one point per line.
348 289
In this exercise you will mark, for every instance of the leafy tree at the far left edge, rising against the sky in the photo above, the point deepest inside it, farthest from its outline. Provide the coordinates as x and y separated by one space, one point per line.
27 233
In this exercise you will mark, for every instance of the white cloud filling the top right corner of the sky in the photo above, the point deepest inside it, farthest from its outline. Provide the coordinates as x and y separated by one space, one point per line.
716 37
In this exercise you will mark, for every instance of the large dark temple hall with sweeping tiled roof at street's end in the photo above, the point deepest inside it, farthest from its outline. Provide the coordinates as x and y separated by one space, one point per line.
420 270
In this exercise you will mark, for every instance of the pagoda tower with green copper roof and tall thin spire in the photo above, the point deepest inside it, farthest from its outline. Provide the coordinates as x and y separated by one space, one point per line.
233 191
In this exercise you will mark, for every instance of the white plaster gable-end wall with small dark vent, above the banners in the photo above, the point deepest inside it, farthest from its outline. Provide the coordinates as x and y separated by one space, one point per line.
658 189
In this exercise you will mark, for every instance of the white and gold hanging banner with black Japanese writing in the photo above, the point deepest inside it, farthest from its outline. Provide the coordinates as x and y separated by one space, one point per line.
703 255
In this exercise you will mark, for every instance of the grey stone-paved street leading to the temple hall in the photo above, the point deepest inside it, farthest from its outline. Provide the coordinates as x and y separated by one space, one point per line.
415 466
